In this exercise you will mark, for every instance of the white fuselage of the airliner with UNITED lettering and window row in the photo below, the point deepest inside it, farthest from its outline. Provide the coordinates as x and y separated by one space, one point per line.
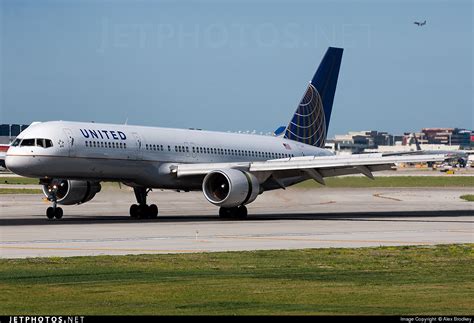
140 156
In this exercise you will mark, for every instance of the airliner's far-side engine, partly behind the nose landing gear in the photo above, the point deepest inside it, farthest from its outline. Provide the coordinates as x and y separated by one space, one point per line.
69 192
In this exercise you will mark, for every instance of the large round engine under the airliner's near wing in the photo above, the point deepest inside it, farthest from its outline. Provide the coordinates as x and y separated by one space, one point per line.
230 187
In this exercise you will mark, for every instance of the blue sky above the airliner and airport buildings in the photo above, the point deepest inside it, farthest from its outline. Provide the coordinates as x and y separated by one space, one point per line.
235 65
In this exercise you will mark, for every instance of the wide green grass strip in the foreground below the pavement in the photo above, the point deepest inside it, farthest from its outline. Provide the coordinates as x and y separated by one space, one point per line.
388 280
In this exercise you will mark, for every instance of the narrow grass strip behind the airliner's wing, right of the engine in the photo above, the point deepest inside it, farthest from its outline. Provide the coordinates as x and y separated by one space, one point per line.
393 181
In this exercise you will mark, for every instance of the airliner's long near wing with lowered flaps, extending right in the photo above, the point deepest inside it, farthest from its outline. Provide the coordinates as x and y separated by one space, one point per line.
310 166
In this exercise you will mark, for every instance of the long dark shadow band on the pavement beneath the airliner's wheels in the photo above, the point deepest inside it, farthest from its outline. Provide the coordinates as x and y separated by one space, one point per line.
378 216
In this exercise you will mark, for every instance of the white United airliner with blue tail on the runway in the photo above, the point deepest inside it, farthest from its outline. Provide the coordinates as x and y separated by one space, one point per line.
72 158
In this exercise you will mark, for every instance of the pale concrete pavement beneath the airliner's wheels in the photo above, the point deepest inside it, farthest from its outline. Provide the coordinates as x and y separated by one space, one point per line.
294 218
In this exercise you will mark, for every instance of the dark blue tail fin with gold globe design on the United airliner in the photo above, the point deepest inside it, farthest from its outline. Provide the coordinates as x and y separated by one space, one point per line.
310 122
